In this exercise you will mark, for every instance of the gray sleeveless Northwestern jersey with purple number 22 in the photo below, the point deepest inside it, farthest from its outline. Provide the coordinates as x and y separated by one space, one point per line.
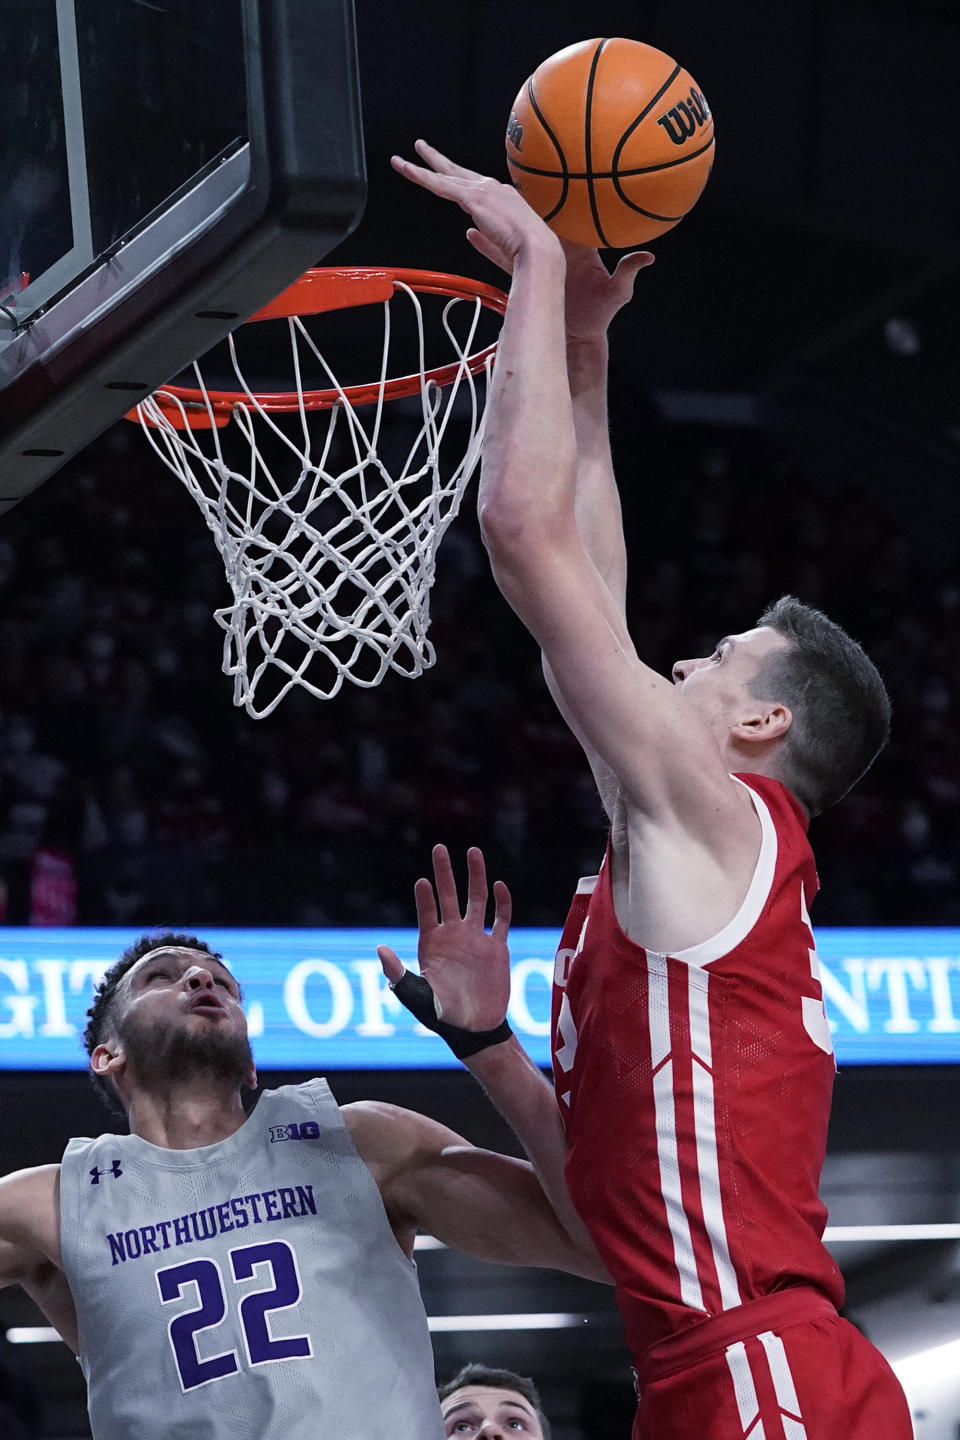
250 1290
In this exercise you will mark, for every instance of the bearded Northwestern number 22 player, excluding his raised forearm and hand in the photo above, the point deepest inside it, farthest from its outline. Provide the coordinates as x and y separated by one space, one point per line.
250 1278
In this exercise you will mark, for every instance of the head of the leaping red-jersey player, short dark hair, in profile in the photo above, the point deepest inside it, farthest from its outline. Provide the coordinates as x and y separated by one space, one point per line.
795 699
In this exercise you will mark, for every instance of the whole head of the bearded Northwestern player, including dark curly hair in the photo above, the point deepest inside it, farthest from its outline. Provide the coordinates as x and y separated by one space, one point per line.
166 1013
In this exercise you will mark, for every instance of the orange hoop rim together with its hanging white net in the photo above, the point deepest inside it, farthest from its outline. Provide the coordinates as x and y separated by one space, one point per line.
330 554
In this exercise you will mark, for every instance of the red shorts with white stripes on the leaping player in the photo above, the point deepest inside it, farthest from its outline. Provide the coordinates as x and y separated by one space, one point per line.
785 1367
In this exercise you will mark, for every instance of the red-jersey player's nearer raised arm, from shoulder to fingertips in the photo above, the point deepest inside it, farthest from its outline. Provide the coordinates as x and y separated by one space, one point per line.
661 750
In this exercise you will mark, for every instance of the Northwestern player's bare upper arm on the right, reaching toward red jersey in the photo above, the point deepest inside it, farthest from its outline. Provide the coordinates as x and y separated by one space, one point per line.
489 1206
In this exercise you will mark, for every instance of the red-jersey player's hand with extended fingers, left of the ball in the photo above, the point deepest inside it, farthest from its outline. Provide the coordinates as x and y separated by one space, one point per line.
504 222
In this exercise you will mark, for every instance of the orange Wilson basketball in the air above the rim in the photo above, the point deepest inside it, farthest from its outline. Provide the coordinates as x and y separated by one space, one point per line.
611 142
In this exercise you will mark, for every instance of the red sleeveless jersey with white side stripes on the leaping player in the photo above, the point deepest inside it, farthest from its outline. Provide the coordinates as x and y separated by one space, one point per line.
696 1091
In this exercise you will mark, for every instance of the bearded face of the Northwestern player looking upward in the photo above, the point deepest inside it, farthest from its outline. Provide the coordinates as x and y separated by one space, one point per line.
182 1013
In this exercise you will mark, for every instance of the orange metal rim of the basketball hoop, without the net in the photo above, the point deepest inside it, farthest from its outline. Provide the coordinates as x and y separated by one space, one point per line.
317 292
